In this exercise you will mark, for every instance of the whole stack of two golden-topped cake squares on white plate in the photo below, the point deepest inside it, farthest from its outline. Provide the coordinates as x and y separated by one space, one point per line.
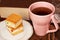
14 24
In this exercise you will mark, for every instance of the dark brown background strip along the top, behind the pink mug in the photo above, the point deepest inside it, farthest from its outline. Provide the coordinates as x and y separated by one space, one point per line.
24 3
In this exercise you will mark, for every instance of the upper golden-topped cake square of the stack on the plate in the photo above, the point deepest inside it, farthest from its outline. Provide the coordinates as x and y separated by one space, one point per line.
14 20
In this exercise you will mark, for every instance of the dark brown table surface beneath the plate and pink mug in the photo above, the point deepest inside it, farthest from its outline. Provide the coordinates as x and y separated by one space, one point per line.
50 36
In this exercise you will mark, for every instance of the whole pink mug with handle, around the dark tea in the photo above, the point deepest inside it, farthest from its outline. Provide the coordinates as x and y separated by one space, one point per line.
41 23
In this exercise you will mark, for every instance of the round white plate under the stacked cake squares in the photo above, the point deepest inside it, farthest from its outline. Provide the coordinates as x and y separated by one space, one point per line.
6 35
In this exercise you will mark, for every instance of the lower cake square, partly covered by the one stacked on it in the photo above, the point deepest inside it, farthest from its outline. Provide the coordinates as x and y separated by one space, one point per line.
17 30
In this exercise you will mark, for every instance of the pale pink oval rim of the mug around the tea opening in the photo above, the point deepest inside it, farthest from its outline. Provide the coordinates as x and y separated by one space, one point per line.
42 2
